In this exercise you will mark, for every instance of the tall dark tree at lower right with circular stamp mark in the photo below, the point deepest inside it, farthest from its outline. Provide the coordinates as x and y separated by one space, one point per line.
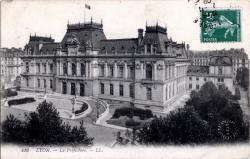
217 106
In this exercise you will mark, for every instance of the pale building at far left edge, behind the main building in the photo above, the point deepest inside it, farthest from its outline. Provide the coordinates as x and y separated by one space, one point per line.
10 65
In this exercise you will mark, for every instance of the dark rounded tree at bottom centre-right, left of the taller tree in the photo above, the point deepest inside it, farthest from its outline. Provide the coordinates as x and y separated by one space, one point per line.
183 126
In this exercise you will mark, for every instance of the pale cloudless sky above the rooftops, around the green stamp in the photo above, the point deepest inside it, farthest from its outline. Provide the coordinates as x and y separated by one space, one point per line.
121 19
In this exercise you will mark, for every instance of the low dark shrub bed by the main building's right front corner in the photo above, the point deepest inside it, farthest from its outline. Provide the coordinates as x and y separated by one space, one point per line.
127 111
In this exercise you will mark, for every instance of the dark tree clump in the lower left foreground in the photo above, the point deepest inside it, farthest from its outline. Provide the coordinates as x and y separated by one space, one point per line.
44 126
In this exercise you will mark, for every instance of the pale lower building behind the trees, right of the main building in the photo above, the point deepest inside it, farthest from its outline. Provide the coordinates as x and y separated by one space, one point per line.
219 71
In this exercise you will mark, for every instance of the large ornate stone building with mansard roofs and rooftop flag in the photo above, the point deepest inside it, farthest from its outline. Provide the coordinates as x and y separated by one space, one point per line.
149 70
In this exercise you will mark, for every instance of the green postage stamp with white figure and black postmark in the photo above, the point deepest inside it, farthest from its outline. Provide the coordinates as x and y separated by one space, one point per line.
220 25
